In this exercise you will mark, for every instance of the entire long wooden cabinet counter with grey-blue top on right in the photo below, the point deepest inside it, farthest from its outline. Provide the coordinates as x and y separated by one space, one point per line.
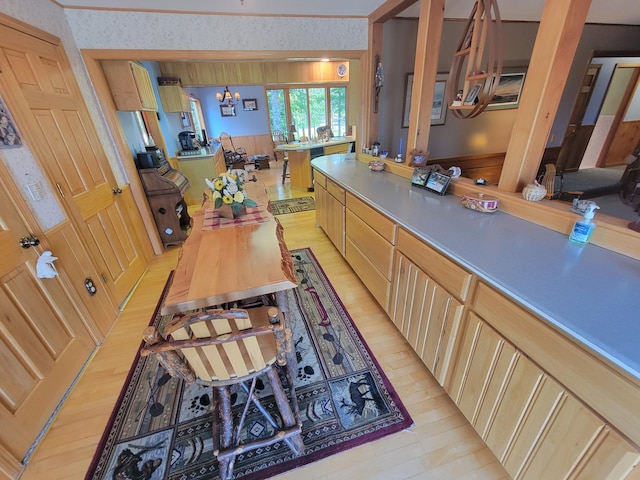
533 337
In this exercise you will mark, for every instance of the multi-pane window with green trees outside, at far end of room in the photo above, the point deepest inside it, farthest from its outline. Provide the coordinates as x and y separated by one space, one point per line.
308 108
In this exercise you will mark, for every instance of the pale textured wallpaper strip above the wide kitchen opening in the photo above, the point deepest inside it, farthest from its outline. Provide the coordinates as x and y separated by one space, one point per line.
165 31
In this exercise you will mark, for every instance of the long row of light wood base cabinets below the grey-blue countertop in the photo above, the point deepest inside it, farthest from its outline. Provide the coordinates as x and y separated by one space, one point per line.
495 359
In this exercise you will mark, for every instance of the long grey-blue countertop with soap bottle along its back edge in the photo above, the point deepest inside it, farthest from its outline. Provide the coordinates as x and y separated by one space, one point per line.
591 293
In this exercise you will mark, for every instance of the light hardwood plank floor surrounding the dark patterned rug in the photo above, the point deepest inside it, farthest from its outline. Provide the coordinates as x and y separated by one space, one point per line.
441 445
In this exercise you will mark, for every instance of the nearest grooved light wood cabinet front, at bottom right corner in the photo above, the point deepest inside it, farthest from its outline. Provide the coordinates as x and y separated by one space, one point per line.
534 425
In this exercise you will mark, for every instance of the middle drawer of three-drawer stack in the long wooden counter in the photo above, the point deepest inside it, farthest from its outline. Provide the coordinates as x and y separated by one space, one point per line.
373 246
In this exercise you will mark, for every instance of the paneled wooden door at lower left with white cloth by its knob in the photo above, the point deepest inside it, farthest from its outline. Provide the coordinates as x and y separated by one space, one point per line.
43 341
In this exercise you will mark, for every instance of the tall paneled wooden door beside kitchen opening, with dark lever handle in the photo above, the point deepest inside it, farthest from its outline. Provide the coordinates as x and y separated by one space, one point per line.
66 144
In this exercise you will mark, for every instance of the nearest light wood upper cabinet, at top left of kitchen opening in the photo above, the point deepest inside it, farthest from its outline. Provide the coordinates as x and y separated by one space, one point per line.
130 85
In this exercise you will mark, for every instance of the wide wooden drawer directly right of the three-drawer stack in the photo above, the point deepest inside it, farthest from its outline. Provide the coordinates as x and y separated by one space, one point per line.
455 279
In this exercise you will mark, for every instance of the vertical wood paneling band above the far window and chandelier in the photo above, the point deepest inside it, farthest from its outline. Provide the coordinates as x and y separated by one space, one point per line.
198 74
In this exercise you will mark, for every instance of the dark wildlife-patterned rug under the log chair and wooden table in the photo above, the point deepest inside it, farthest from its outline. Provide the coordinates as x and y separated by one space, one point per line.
161 427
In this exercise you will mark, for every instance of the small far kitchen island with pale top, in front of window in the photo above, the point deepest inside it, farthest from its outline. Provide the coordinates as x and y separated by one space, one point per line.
300 155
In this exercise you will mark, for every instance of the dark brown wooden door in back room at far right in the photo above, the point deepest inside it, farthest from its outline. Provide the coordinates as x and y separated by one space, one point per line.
577 135
